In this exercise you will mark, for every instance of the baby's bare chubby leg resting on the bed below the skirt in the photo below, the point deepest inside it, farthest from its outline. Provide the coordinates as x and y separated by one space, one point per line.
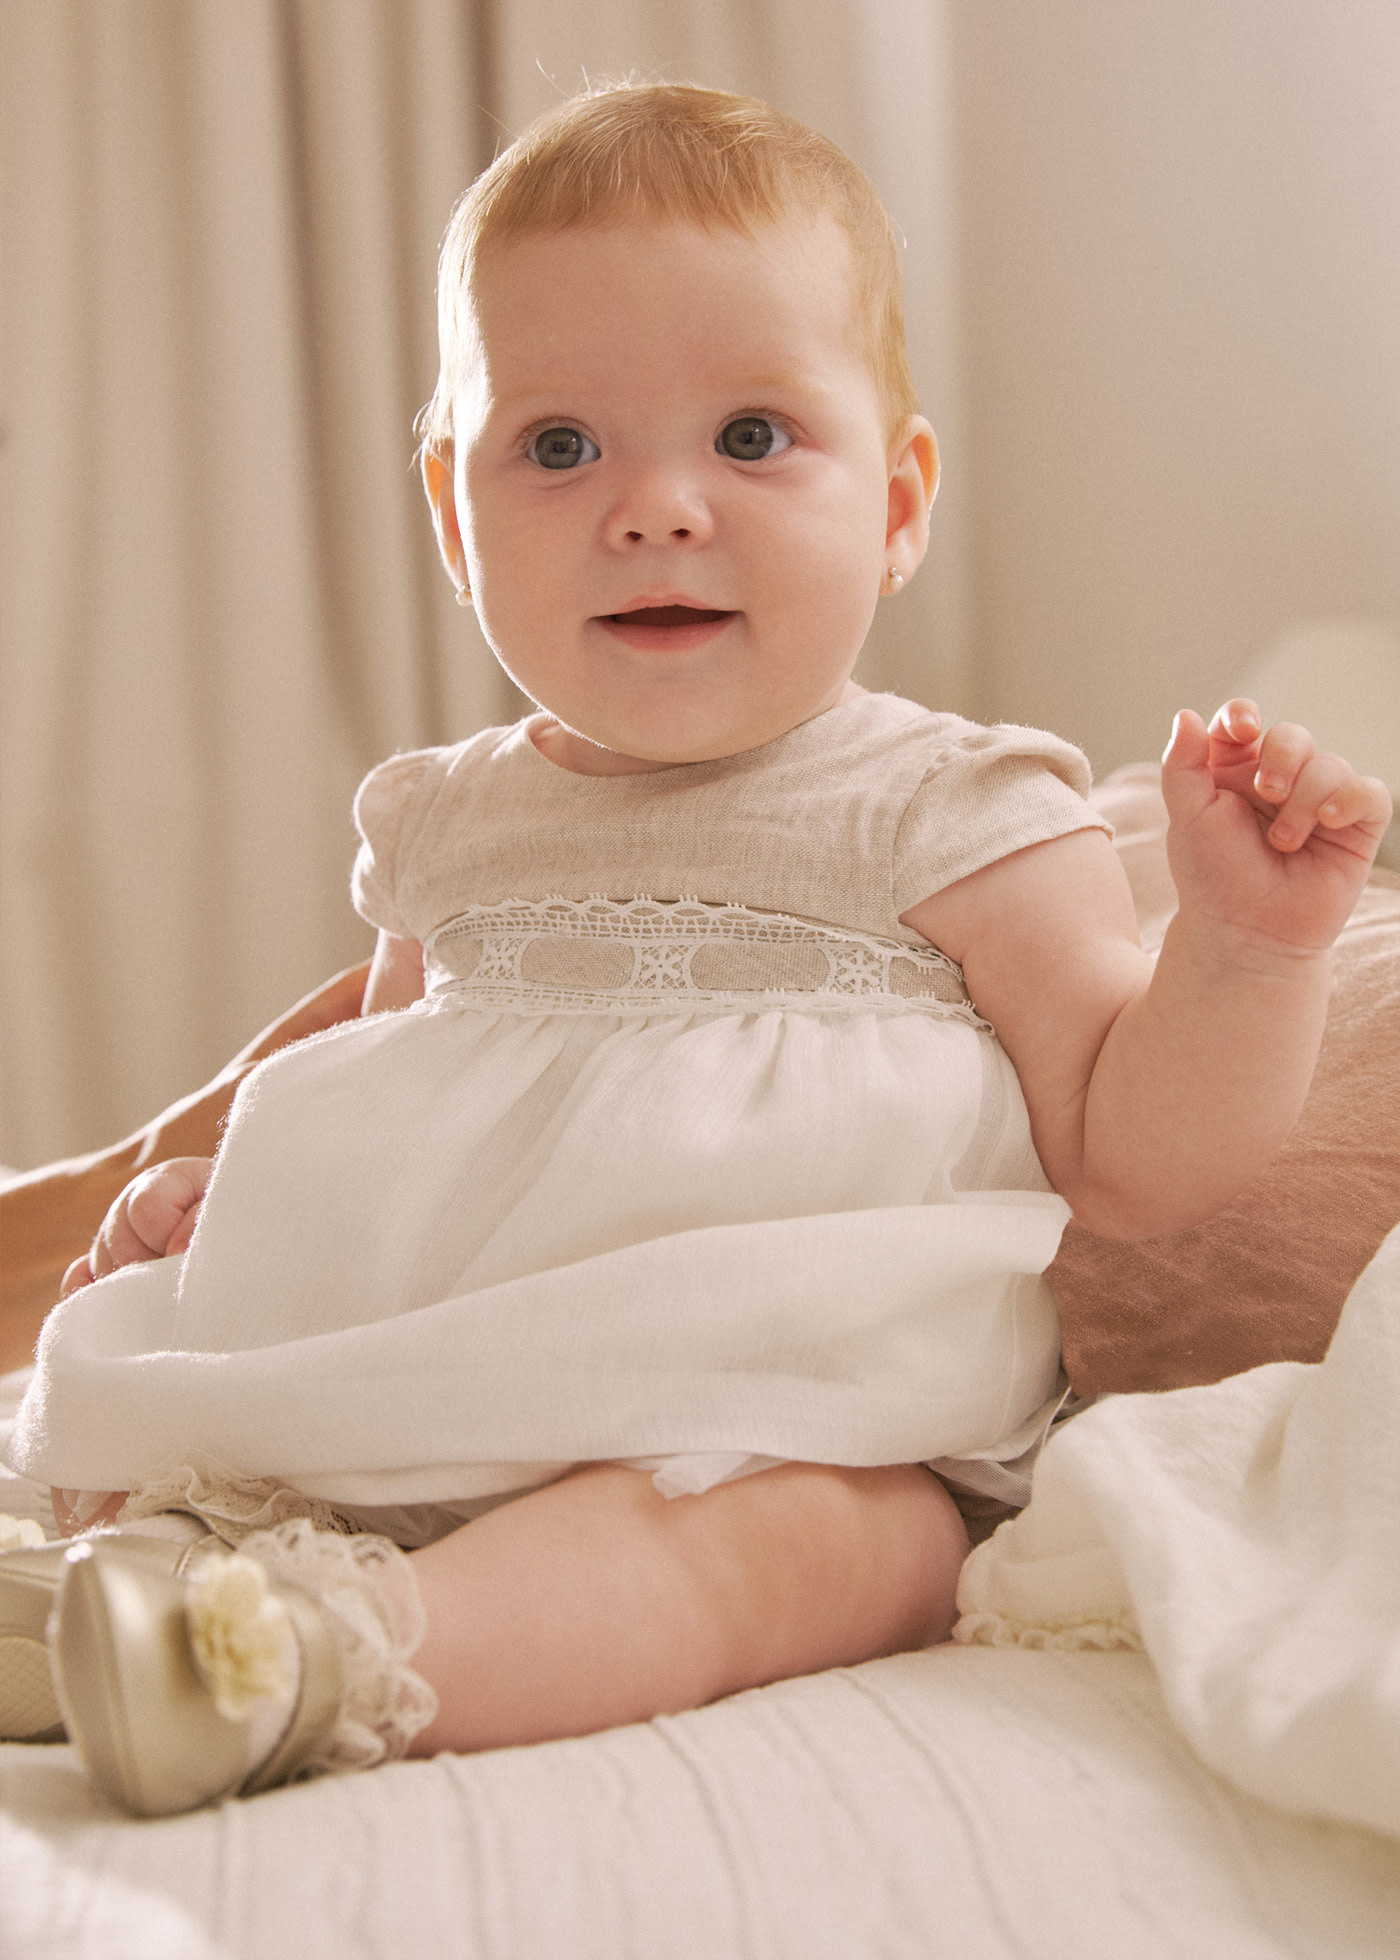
597 1602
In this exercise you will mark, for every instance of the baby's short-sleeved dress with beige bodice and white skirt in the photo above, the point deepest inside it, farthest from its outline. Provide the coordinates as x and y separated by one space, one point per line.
693 1153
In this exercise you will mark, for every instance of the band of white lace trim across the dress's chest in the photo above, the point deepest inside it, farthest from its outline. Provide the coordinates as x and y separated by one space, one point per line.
599 955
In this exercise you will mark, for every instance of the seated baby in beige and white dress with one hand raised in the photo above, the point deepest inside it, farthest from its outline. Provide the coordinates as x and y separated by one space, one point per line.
760 1038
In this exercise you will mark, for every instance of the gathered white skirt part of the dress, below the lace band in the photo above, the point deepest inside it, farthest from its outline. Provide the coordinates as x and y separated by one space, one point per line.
454 1251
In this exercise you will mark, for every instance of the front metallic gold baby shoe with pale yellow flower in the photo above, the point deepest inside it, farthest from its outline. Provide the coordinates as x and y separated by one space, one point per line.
183 1690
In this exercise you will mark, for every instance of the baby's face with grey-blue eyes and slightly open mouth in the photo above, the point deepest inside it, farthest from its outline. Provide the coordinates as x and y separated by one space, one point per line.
674 485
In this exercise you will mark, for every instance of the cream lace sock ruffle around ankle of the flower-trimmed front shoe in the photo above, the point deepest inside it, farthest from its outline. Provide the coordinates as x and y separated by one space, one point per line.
370 1592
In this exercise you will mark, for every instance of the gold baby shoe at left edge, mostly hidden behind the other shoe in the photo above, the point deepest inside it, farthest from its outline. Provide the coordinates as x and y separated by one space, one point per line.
28 1585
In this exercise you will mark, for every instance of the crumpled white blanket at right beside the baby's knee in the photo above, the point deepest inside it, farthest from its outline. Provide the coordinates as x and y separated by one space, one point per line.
1248 1538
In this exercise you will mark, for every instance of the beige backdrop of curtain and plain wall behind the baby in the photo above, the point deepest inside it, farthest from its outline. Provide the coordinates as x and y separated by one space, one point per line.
1152 277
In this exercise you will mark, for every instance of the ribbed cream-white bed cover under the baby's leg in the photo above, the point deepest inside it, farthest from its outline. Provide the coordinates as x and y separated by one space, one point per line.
972 1802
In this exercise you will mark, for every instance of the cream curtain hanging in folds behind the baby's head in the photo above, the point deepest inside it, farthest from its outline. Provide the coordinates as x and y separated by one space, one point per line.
219 591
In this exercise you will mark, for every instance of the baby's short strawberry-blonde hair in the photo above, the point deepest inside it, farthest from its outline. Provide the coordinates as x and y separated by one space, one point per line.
681 154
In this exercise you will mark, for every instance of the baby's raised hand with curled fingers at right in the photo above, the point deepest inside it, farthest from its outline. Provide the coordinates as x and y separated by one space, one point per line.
1266 834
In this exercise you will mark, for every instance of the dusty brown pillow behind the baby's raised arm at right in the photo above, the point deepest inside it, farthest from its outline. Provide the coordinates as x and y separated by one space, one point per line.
1268 1277
